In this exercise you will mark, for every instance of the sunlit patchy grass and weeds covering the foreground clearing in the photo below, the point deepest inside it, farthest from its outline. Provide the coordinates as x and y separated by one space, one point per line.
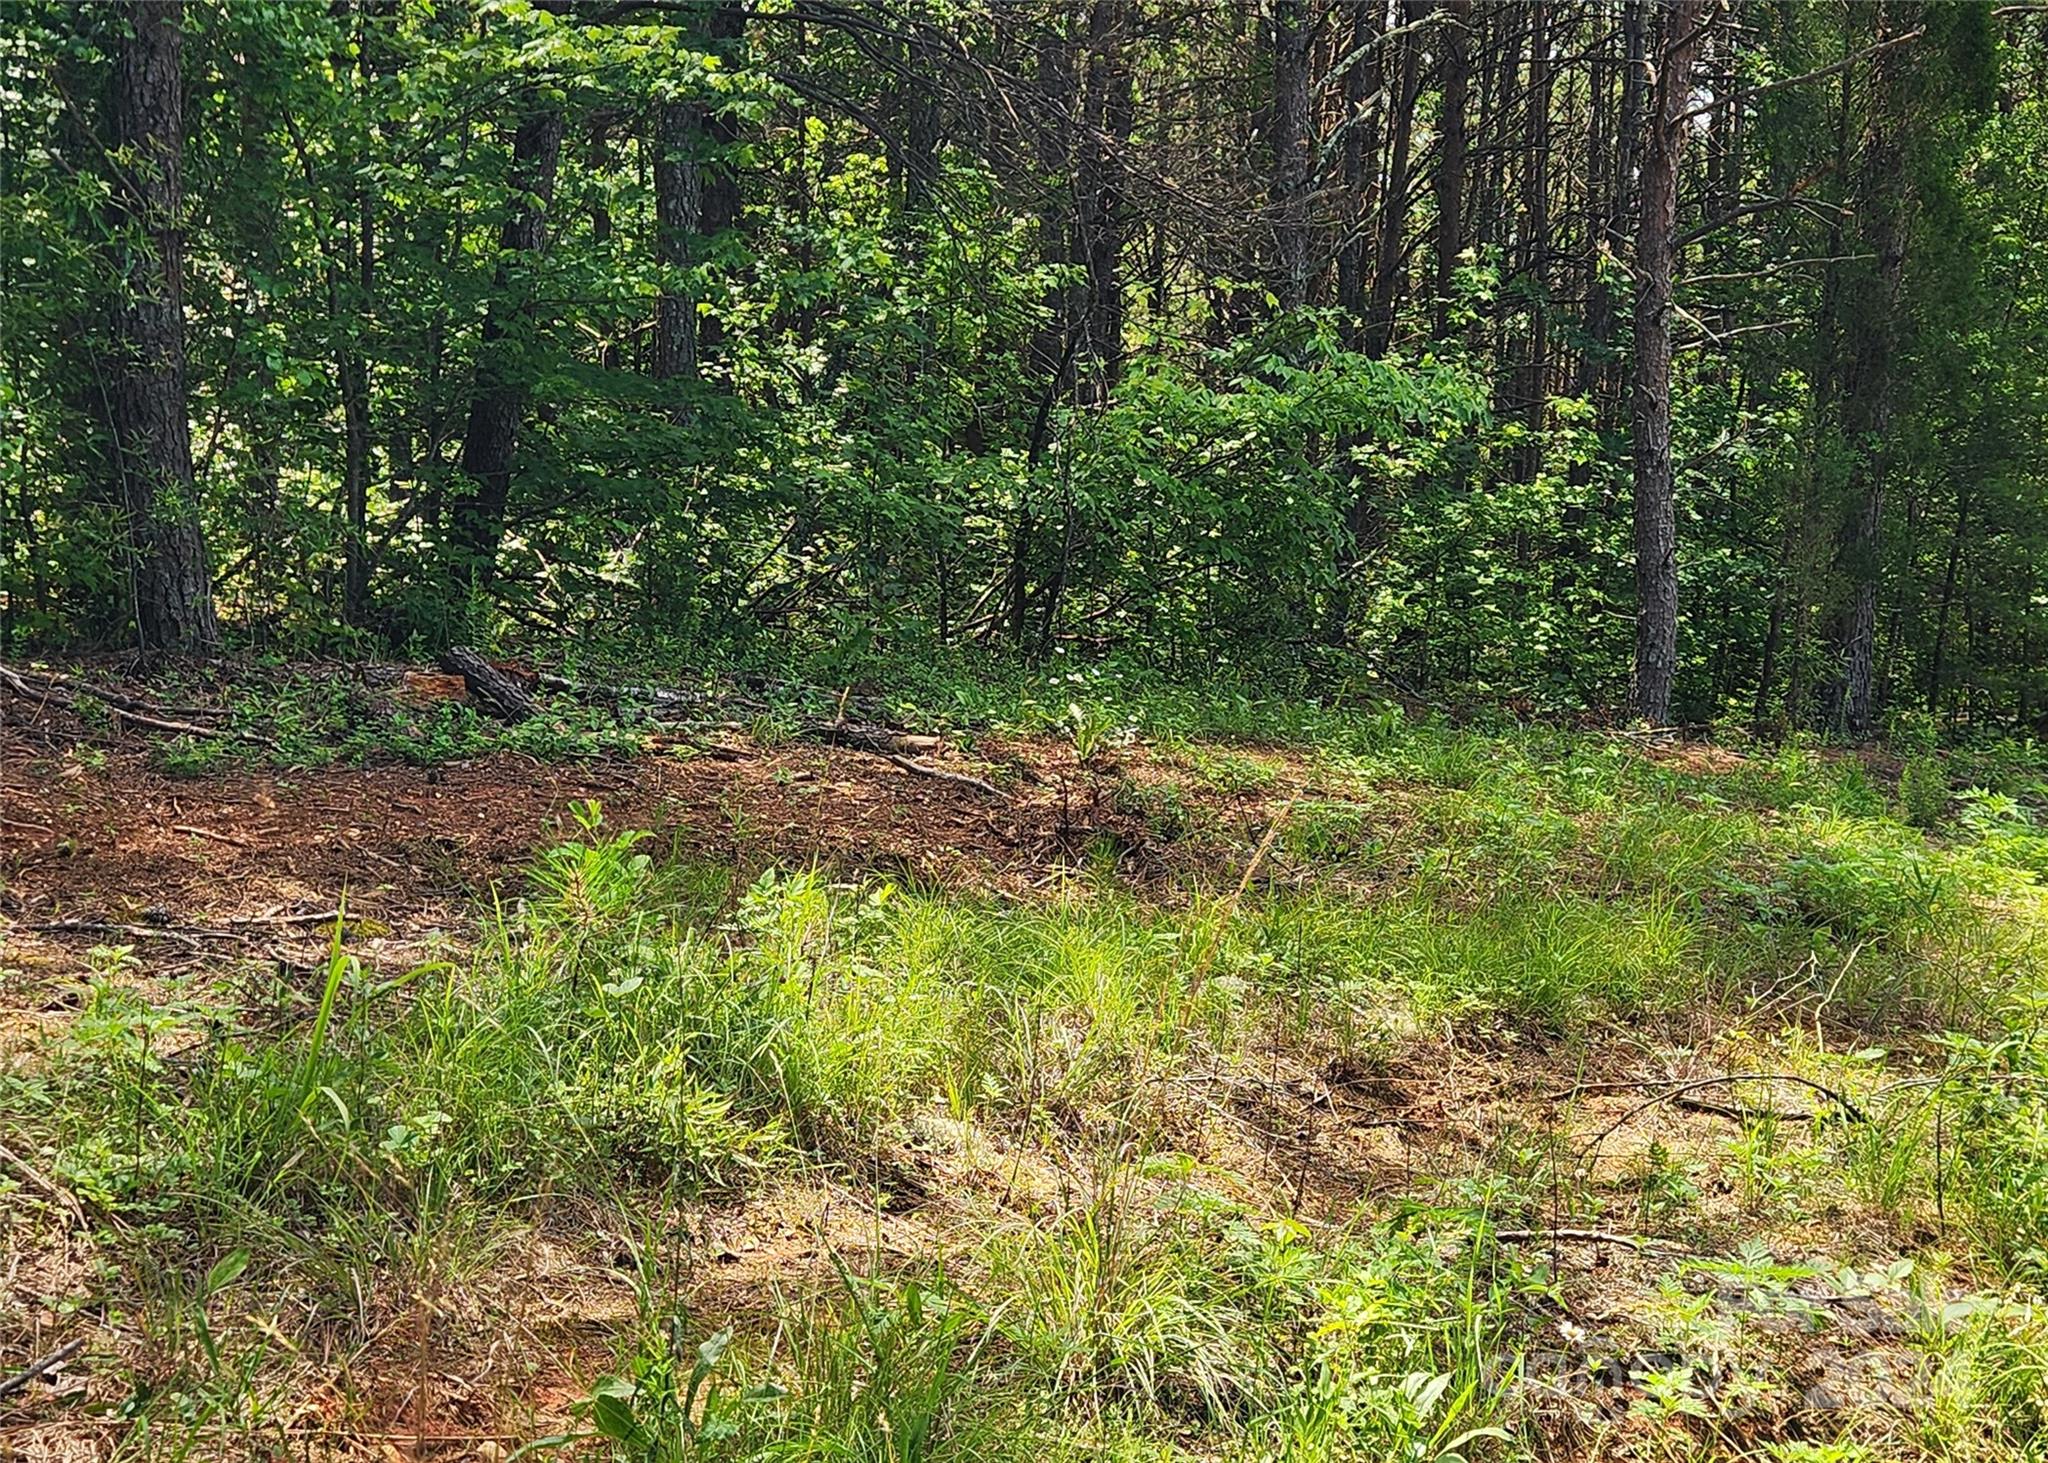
280 1163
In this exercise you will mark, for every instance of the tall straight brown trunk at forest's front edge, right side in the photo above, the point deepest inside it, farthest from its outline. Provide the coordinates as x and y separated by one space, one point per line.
1650 696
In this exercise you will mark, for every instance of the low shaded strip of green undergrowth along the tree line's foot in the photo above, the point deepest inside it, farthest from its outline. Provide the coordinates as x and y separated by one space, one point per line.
1340 716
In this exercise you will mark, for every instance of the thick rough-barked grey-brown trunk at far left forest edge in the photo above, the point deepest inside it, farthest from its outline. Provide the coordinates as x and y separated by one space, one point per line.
151 427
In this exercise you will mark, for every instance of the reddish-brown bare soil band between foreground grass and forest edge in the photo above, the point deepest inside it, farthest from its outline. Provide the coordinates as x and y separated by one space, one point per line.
99 835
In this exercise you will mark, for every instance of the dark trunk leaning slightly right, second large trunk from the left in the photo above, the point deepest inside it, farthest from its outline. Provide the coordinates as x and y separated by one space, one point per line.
503 390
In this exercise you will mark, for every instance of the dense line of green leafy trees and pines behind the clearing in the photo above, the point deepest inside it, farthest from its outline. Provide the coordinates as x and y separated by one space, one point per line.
1674 356
